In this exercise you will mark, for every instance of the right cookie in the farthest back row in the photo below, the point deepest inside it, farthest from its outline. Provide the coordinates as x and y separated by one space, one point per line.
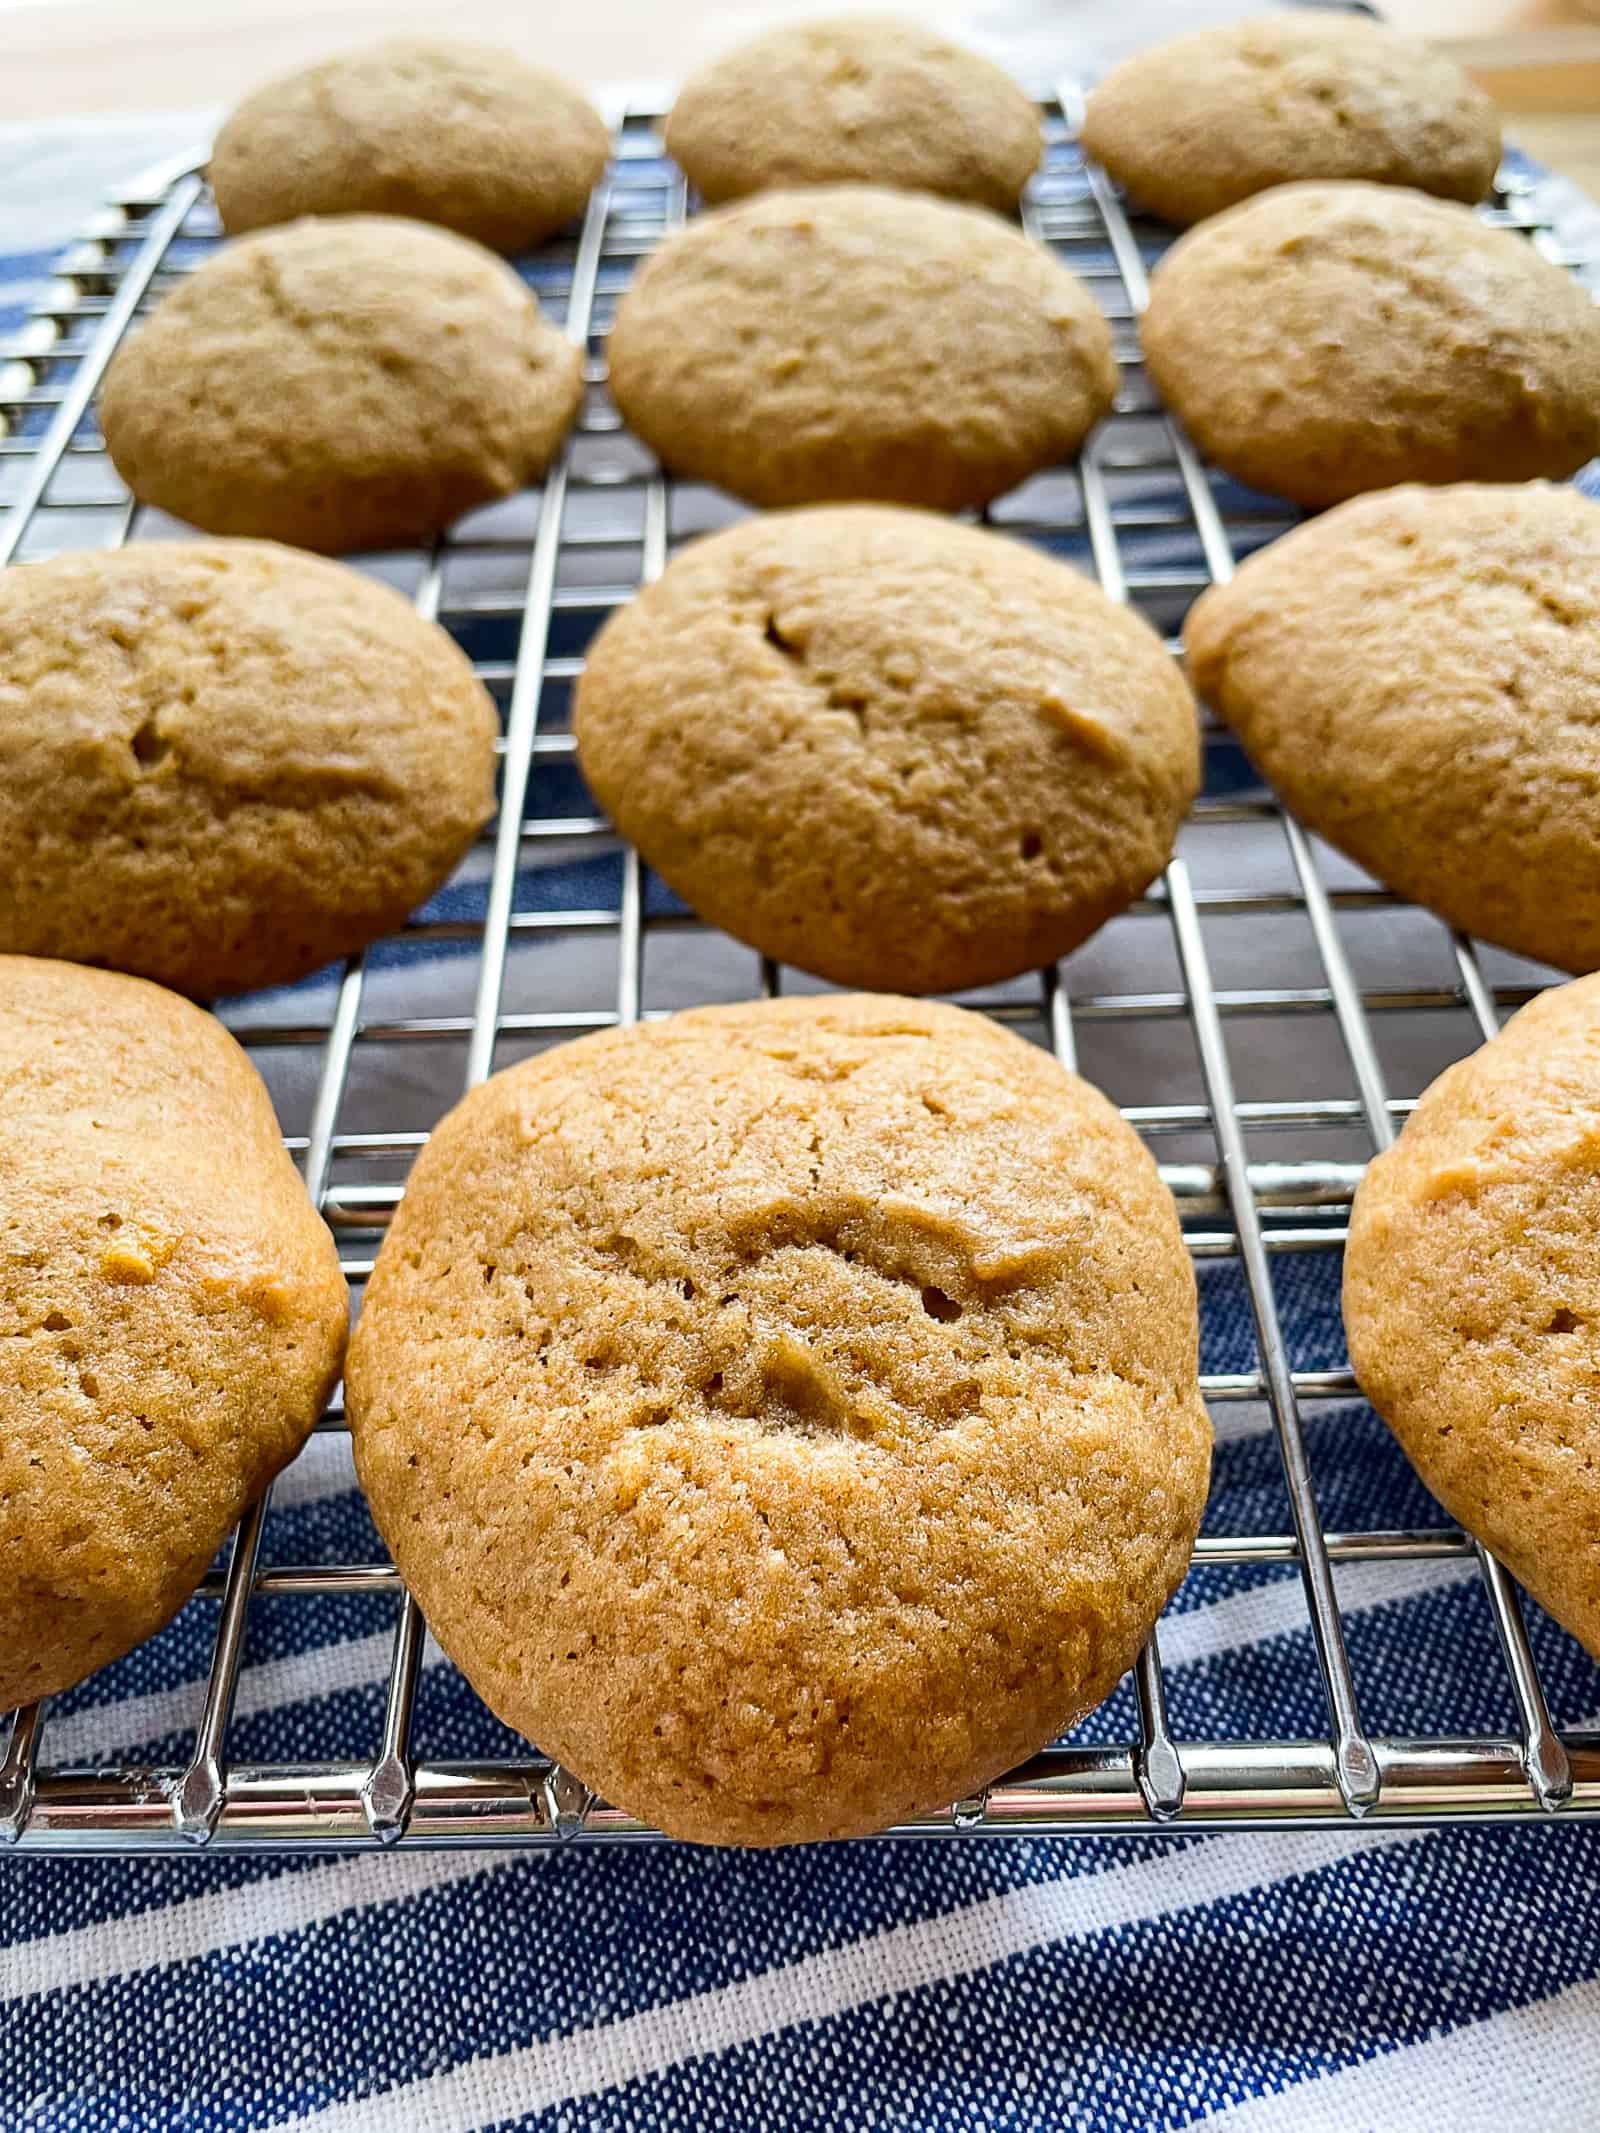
1204 121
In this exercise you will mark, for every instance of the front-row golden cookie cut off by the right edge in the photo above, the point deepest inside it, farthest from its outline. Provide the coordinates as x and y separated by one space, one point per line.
1473 1298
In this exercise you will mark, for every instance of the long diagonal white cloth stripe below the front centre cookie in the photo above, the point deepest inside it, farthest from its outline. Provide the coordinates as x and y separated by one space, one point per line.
816 1989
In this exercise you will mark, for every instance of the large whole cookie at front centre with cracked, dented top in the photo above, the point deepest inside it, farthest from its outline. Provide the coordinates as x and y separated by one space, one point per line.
786 1415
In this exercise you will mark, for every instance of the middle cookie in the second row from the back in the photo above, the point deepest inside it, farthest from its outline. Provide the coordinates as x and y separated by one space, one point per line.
854 342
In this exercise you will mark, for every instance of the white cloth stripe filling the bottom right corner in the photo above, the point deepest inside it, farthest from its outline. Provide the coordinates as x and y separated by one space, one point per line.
1533 2068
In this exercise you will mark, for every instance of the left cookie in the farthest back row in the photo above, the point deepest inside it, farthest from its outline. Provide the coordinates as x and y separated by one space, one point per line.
423 127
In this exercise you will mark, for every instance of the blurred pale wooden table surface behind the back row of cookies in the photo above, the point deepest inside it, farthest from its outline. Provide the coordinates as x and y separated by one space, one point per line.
78 59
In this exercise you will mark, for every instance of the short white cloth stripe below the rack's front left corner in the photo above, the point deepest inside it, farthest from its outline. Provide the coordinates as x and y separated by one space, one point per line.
199 1925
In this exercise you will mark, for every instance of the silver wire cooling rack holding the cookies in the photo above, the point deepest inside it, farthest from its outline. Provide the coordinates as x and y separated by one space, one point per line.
1266 1019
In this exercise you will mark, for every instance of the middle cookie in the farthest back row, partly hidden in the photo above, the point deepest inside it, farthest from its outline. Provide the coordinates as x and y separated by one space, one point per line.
863 99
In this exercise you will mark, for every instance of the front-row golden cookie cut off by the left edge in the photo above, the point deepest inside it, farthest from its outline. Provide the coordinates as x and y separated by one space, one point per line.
172 1309
